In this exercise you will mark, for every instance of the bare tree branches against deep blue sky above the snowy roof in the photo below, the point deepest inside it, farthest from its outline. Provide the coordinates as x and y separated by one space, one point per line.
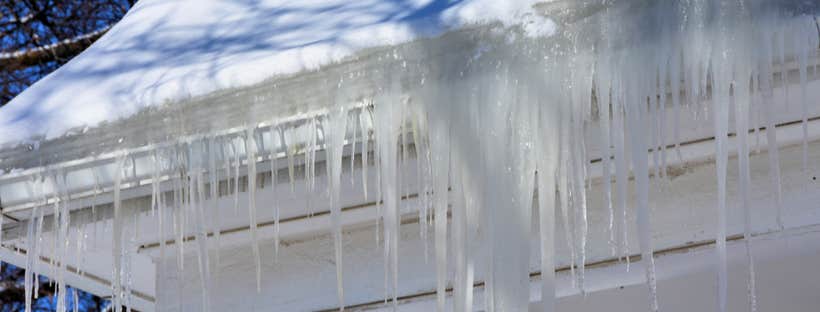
37 36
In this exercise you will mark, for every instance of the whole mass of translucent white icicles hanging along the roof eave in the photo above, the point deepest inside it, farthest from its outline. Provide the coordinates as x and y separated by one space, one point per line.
488 134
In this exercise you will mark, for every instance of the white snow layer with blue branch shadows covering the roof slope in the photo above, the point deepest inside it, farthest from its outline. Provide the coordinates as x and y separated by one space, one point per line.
164 51
